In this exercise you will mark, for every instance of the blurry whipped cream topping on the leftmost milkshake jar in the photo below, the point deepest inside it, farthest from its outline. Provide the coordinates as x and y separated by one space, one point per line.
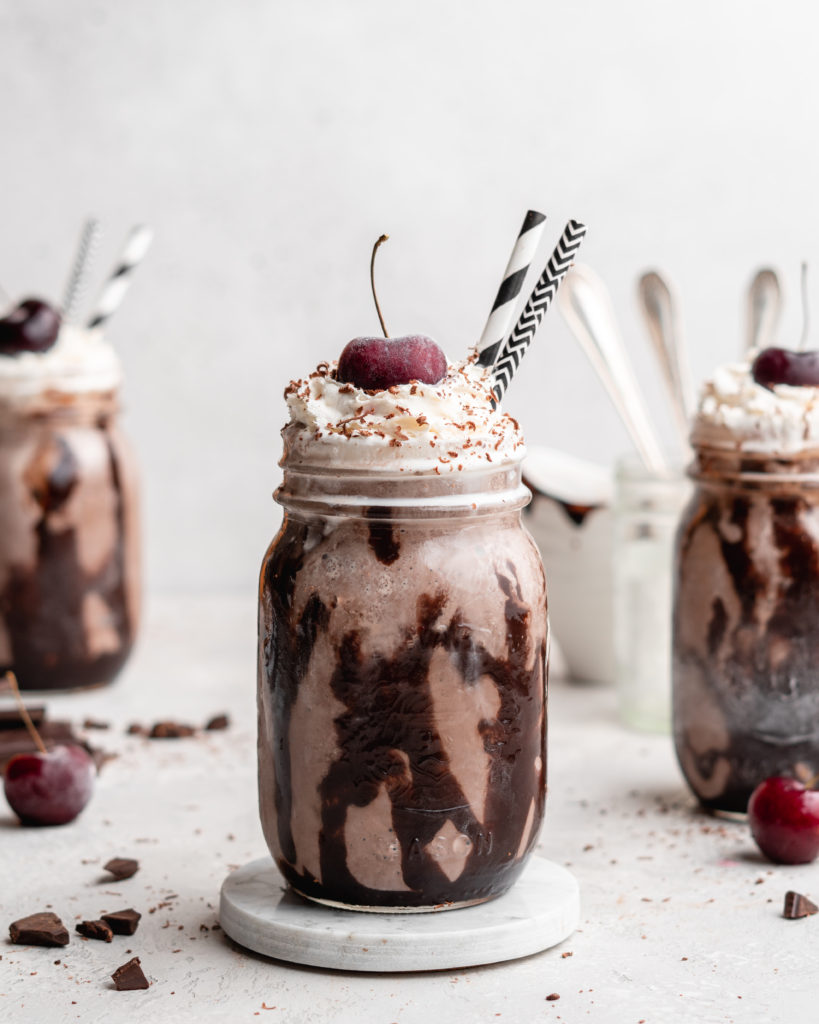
80 362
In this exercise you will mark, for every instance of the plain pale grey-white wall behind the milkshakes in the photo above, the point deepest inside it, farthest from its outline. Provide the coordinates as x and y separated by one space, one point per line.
271 142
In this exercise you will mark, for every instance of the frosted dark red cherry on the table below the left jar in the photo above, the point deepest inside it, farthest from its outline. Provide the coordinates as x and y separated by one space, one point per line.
50 789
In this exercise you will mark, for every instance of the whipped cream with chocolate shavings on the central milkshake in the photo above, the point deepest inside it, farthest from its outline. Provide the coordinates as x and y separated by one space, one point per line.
445 429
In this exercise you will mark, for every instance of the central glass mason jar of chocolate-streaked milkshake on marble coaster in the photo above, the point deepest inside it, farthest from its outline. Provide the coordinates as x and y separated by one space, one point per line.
402 688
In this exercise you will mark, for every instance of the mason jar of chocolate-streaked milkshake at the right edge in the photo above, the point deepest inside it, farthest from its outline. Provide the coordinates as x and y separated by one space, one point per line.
747 624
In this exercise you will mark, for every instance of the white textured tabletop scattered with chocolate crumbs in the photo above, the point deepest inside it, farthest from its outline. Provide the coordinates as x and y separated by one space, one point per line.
681 918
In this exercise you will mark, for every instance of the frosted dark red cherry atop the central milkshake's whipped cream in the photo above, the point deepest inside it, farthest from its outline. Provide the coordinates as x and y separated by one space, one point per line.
376 364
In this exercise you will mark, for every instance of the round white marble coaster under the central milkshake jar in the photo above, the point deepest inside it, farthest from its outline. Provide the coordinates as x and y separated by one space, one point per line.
258 911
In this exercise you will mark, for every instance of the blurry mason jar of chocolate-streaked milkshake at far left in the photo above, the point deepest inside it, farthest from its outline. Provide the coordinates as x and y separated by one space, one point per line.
69 539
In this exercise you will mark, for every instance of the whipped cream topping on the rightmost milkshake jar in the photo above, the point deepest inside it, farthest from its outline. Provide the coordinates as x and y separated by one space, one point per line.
736 410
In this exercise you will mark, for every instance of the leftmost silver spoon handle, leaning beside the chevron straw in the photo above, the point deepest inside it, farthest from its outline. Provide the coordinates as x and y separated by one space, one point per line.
587 309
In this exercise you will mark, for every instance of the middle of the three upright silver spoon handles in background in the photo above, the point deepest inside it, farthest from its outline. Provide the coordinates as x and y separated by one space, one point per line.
661 310
